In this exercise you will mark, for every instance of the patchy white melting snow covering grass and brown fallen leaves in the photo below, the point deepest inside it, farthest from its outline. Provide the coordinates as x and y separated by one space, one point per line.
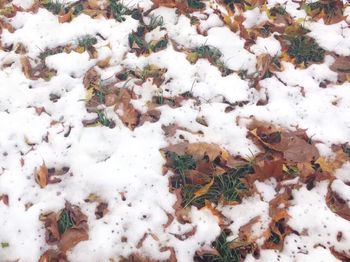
111 162
